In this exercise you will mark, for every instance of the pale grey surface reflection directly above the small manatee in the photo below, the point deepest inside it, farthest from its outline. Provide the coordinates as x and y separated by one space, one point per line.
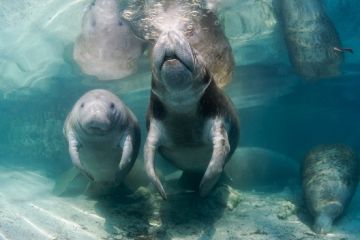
106 47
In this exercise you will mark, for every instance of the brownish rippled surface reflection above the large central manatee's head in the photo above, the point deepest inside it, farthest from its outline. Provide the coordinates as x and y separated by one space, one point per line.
200 27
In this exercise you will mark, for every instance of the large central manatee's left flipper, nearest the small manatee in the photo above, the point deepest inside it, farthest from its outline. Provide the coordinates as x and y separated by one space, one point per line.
151 144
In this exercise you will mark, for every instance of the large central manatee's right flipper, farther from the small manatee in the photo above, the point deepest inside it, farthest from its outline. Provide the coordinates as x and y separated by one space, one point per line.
221 148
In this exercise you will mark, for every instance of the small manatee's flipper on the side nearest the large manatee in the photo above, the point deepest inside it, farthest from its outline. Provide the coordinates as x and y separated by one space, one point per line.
130 151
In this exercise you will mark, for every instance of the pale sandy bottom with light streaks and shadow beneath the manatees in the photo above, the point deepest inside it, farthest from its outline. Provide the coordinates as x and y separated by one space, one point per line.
29 210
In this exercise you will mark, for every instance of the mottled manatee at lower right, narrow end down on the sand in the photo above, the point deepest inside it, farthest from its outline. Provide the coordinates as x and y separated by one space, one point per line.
329 179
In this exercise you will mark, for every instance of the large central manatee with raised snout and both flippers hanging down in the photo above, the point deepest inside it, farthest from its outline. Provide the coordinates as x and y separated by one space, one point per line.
191 122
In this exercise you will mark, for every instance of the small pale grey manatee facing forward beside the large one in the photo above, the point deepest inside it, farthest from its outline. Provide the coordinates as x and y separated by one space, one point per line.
103 136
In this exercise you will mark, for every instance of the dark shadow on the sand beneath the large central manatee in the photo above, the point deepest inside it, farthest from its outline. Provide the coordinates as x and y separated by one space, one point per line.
183 214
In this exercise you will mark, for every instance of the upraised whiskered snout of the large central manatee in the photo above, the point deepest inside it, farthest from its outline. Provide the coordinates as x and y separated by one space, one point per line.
173 60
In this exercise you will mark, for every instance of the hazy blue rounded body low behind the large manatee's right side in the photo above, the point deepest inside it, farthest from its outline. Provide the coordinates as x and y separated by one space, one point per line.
257 168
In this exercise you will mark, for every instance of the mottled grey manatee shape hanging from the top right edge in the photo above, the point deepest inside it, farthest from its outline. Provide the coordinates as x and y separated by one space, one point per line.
310 38
